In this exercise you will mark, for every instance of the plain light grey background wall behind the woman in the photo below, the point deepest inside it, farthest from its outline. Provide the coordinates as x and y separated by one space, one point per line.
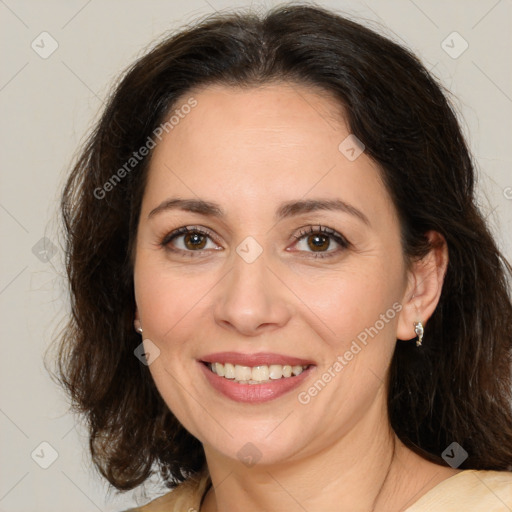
48 106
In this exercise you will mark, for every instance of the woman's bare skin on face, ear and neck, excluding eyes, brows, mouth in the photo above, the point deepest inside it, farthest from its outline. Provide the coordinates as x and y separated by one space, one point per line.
250 150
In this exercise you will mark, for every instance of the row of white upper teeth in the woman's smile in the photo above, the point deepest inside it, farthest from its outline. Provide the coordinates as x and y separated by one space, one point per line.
255 374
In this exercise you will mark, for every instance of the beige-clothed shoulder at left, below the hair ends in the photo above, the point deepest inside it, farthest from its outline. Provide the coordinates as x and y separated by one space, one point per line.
184 498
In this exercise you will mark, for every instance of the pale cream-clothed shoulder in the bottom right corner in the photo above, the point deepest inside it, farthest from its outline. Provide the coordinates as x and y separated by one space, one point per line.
480 491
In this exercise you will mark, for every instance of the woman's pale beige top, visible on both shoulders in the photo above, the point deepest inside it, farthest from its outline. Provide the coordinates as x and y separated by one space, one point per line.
469 490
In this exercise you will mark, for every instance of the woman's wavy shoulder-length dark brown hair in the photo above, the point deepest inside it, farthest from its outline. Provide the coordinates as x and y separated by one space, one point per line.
456 388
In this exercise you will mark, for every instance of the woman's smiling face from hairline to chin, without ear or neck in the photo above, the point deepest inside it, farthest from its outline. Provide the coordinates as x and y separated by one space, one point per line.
292 259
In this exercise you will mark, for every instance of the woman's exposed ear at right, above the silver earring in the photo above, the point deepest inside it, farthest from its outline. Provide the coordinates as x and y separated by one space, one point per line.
424 285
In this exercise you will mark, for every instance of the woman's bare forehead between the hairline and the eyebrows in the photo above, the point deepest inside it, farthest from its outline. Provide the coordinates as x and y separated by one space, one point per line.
268 143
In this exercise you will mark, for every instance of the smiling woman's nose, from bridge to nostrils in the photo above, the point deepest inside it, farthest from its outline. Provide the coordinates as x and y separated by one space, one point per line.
252 299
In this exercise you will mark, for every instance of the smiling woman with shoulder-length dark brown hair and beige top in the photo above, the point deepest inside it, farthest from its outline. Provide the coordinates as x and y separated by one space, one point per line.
284 210
